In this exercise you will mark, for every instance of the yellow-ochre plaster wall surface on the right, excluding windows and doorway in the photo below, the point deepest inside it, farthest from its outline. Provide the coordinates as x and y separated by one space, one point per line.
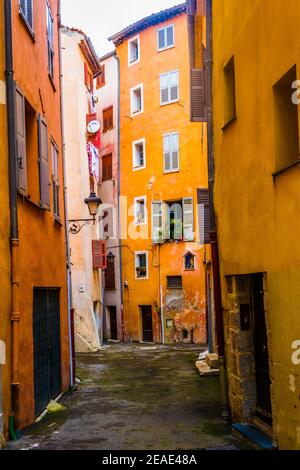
258 216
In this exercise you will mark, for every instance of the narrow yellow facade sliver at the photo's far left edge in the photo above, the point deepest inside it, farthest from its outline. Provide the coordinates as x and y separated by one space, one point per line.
5 306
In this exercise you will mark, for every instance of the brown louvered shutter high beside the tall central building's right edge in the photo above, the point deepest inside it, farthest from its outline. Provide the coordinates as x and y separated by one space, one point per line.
198 101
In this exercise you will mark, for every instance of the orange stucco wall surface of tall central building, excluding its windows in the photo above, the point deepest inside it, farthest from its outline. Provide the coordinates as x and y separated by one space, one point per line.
156 120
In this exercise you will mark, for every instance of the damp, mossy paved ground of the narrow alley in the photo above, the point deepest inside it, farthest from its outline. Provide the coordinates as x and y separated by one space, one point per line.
133 397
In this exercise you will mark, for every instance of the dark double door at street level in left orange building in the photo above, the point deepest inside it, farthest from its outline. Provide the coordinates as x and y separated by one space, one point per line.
47 347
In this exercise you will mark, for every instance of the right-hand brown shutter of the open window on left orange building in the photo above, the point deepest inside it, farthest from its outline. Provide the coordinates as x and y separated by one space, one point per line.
44 164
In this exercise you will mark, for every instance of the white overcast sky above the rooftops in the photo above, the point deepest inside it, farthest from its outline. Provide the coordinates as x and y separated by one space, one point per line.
100 19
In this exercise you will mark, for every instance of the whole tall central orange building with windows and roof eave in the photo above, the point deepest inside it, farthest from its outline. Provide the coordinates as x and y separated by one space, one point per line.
163 172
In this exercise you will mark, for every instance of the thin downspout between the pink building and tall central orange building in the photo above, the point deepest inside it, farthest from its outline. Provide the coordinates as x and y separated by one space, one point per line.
119 195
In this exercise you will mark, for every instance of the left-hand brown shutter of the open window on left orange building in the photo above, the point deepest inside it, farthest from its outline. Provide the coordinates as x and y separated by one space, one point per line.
21 142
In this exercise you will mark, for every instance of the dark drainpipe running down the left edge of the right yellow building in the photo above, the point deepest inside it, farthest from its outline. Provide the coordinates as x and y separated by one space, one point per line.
213 227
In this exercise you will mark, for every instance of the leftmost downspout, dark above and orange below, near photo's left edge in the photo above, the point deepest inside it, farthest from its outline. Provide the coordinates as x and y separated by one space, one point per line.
15 316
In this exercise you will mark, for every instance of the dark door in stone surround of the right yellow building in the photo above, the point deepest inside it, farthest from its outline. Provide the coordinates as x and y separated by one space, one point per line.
261 350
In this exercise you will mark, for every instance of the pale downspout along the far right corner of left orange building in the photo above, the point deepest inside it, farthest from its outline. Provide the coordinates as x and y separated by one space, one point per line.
68 250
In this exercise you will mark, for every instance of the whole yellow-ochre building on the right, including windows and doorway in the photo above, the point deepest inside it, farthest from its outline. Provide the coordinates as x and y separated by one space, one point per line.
257 202
